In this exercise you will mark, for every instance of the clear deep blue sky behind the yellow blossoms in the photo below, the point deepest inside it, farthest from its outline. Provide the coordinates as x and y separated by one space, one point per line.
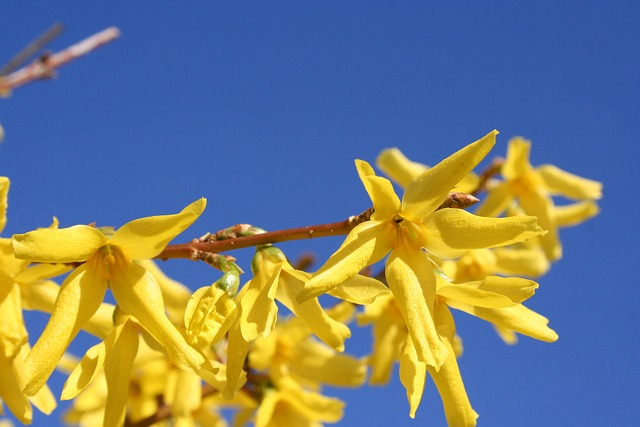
262 107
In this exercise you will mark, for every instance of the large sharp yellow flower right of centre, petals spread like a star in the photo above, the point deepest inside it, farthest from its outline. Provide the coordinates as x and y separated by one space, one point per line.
403 229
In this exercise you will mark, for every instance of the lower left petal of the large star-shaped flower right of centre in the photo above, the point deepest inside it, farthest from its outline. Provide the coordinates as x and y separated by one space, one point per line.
365 245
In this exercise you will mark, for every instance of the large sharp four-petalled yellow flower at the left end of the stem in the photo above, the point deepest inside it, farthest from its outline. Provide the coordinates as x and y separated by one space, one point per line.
107 263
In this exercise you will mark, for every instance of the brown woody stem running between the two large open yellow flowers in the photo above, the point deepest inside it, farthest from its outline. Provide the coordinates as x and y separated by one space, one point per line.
192 249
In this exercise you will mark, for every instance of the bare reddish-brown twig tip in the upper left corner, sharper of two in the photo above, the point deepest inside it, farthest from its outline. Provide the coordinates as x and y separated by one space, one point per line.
44 67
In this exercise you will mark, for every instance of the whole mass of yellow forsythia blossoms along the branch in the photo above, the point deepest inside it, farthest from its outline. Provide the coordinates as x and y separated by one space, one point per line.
167 351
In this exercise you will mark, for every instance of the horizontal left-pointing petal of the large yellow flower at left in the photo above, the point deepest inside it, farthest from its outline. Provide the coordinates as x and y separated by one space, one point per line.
63 245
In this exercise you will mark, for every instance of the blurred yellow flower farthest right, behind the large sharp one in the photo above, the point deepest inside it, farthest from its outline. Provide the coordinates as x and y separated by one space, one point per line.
534 188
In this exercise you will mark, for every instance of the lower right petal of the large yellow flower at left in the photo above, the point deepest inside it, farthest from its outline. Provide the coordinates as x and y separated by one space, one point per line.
137 293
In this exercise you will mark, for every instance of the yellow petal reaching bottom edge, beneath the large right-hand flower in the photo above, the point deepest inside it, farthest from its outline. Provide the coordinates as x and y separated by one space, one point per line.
457 407
